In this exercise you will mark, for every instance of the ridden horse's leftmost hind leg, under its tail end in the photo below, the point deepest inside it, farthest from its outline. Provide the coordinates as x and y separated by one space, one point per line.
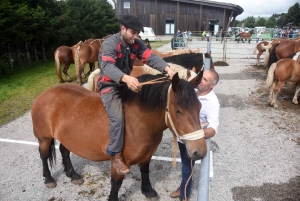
47 151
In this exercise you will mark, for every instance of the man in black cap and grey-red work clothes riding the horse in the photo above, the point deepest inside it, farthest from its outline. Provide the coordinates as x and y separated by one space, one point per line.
116 56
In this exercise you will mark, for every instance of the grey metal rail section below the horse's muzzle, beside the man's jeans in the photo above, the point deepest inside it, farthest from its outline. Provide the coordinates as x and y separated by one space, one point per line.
203 187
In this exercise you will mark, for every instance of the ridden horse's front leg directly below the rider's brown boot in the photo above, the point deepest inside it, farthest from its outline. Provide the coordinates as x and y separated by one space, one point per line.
116 182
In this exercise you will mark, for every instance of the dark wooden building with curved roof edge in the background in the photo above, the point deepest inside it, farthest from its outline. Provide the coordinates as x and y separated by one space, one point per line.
167 16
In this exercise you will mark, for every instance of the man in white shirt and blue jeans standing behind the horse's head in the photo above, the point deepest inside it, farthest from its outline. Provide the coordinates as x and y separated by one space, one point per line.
209 113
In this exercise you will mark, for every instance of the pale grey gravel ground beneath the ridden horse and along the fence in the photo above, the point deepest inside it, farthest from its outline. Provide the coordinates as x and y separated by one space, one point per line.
255 153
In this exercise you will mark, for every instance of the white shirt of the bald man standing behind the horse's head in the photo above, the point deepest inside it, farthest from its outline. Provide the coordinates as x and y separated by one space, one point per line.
210 110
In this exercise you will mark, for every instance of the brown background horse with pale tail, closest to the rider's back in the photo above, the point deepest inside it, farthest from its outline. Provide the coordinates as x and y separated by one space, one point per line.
86 53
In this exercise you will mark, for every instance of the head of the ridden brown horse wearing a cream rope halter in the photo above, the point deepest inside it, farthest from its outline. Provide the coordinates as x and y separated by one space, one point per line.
182 116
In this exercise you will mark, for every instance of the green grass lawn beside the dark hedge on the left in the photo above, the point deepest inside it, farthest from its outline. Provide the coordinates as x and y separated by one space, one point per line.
18 91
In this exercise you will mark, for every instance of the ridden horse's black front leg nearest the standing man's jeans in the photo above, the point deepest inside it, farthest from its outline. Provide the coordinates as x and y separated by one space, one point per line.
146 188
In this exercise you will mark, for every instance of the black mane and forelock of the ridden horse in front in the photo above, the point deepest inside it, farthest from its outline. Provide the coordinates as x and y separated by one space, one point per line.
154 96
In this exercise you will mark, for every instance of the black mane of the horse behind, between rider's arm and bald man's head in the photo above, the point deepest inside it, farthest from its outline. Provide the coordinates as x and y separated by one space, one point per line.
189 60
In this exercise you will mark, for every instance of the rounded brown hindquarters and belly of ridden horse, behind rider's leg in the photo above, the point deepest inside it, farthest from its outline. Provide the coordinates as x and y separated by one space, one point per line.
76 117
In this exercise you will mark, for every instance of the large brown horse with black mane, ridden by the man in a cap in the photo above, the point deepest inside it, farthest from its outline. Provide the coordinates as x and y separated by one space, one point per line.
176 101
